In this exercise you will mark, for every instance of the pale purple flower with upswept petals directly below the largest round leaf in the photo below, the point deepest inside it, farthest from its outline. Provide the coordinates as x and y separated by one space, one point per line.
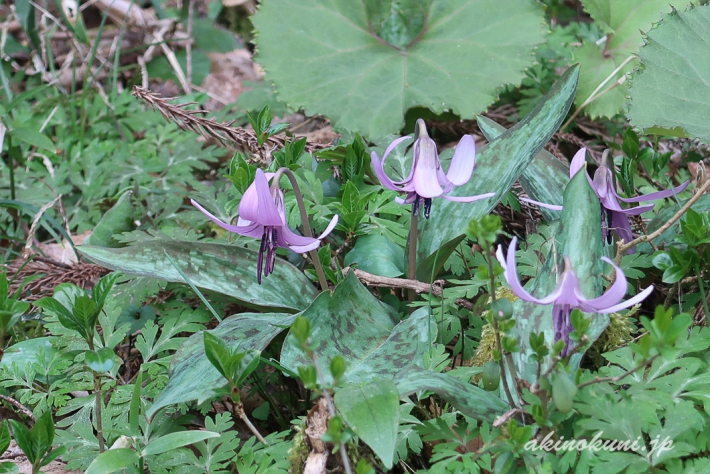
426 179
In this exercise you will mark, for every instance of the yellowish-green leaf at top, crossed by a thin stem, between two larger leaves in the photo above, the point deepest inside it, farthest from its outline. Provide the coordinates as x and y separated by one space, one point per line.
621 20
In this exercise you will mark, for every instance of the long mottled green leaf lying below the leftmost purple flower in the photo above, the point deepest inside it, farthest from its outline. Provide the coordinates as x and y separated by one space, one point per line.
226 269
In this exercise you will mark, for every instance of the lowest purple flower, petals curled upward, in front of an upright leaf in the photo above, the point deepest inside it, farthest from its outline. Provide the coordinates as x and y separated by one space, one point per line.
568 294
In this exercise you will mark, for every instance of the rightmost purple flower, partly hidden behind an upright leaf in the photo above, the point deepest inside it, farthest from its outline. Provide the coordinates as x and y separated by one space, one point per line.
614 217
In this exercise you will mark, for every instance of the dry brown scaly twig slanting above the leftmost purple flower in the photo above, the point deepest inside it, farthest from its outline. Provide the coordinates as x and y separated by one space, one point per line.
224 133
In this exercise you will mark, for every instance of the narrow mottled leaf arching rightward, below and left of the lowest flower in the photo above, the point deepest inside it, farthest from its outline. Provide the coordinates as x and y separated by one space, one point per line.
467 398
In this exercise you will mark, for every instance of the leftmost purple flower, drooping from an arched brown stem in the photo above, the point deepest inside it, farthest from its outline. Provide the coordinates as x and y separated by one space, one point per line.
261 216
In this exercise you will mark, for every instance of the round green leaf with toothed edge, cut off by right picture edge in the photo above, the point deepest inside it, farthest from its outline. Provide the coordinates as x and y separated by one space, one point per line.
672 87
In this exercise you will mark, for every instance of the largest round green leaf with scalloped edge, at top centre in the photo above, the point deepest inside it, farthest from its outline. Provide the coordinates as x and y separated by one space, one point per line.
364 63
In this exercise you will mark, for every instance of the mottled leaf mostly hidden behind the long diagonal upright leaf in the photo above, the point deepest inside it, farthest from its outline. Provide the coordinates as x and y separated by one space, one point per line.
545 177
